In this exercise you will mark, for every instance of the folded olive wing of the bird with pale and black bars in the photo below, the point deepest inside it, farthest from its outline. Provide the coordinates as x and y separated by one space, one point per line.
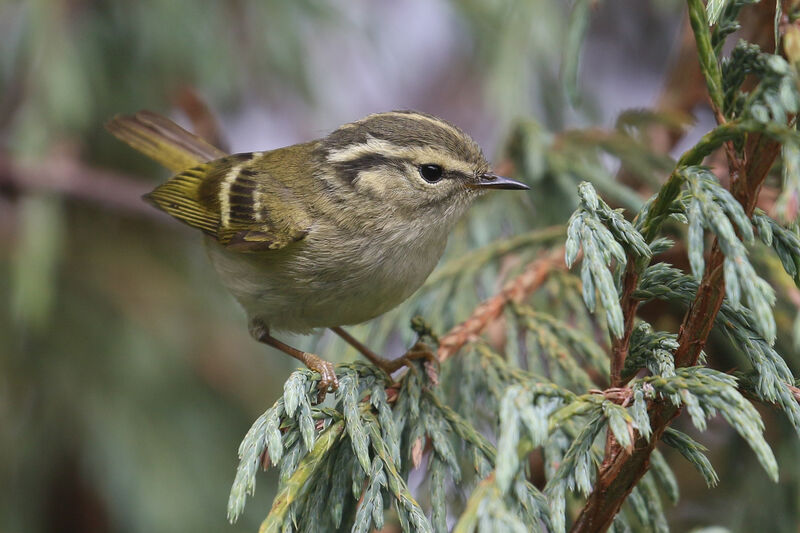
237 201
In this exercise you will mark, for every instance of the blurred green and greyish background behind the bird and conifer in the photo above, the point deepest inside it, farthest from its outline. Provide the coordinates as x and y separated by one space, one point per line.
127 376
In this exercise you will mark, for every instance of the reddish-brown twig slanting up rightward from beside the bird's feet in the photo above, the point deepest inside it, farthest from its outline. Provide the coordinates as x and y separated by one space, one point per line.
489 310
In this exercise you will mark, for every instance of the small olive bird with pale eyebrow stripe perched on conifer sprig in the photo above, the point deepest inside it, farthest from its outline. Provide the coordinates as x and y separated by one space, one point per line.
322 234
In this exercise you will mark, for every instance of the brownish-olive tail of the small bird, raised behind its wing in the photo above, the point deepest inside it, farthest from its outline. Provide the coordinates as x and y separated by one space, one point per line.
162 140
